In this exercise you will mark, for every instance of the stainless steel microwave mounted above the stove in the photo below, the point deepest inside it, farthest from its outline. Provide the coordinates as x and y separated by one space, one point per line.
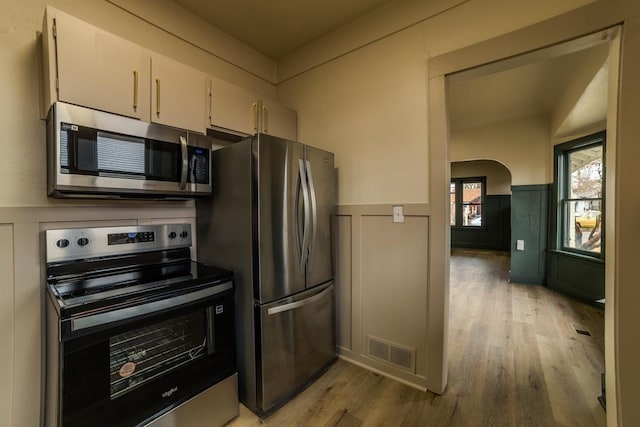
96 154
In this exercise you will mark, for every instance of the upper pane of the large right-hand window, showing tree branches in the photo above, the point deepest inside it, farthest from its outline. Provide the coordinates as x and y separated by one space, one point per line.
585 168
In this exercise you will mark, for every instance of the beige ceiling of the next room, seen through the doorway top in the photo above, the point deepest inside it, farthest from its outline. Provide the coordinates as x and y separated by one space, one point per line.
539 88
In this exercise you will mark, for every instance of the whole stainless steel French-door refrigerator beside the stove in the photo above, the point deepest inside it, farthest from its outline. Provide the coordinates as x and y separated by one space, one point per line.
269 220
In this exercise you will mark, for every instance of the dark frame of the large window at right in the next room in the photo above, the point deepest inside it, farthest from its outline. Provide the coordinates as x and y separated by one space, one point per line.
563 199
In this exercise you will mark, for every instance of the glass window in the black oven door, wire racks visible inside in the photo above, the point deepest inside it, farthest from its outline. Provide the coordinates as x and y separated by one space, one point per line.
143 354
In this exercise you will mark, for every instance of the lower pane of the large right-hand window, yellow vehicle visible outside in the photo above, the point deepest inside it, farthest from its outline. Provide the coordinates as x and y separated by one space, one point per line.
583 228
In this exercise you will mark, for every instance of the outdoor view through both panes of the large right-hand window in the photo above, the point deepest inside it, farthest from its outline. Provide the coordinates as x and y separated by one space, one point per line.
582 200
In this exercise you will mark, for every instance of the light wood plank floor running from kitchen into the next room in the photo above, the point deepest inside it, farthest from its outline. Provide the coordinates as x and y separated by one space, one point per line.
514 360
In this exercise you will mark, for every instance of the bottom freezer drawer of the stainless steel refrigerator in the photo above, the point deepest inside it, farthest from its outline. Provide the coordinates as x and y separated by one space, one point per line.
297 342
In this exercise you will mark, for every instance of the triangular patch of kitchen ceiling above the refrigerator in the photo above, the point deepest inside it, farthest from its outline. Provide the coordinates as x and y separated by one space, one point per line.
276 28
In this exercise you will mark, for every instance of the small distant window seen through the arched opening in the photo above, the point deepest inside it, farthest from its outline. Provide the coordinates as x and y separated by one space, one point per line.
466 197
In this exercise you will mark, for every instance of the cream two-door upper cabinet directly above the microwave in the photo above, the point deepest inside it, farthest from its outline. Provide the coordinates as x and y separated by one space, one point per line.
87 66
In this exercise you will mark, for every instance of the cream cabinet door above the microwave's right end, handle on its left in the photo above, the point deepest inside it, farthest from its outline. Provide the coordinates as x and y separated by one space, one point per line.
178 94
